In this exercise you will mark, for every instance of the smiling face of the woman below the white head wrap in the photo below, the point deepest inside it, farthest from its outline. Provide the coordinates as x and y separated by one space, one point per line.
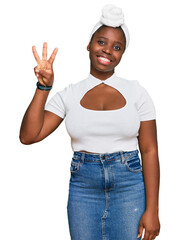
106 50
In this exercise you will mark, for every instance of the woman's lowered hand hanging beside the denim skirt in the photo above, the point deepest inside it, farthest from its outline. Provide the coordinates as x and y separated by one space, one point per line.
149 221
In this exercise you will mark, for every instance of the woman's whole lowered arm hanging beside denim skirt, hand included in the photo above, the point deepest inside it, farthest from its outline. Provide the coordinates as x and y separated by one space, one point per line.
151 172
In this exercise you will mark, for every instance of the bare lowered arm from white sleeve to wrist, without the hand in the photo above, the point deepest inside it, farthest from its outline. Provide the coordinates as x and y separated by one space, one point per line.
150 162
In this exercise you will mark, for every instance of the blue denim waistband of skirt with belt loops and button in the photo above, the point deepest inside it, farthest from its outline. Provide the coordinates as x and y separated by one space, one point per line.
90 157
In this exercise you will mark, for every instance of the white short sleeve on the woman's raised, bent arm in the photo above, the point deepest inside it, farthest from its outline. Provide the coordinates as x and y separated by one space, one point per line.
57 104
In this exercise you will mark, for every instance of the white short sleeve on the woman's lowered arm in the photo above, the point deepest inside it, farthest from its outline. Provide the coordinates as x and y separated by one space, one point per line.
145 105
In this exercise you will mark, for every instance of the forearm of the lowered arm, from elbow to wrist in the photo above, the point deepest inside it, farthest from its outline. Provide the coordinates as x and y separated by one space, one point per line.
151 173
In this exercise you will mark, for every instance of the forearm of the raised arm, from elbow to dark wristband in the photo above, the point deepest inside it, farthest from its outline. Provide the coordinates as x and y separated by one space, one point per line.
33 118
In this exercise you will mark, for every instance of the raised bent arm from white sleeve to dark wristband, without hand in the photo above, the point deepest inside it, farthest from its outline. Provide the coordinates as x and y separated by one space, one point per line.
37 123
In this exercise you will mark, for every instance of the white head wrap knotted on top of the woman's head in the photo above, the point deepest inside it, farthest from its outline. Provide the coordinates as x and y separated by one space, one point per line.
112 16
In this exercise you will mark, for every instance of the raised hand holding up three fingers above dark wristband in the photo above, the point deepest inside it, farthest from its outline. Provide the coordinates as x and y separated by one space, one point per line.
43 70
